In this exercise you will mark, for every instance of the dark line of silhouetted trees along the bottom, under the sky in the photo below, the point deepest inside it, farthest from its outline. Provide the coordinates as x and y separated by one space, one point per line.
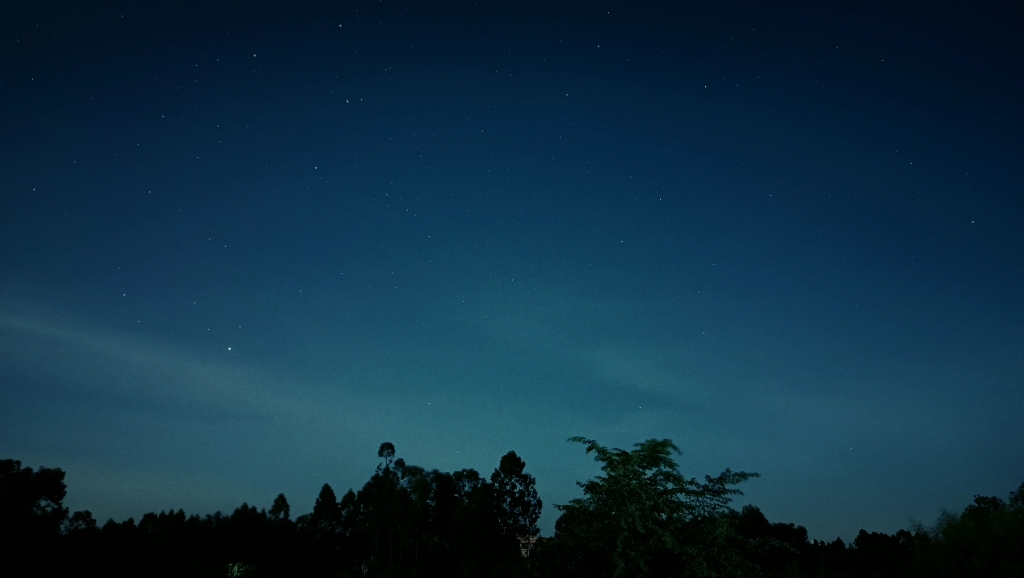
642 518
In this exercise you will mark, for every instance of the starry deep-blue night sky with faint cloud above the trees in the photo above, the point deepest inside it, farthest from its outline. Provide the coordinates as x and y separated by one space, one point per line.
244 243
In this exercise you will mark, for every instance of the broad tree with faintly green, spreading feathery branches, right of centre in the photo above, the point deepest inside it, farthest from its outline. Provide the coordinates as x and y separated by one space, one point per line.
644 518
